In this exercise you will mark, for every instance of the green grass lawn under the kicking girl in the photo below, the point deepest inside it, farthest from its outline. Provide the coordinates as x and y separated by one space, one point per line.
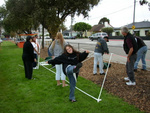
20 95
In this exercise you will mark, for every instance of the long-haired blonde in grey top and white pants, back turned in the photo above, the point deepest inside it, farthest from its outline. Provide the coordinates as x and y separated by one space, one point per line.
56 49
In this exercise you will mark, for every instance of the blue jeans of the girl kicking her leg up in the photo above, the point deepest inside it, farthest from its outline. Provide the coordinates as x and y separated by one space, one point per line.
72 81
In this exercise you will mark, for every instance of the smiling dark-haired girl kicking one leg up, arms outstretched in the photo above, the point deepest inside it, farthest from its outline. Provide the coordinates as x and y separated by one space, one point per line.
71 60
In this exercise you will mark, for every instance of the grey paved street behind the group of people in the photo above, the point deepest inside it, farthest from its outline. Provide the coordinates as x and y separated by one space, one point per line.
115 47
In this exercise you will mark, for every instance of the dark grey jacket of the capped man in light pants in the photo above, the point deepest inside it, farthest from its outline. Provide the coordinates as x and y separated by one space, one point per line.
101 46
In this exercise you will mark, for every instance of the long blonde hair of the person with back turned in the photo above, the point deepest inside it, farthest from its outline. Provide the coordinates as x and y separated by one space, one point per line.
60 39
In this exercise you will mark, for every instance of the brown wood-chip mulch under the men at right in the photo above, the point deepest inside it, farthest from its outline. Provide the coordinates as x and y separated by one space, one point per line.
138 95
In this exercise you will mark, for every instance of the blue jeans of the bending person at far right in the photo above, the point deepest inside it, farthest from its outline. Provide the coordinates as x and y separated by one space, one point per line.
141 55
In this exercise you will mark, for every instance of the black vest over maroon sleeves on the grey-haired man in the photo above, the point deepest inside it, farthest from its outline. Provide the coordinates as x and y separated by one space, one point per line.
133 41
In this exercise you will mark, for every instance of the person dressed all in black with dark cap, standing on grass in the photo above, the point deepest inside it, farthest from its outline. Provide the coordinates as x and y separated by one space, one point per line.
28 57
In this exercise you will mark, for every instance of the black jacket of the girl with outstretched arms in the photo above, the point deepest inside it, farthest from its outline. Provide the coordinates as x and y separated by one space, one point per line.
70 59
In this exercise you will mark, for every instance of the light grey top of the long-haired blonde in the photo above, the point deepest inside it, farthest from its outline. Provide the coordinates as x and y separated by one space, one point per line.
57 50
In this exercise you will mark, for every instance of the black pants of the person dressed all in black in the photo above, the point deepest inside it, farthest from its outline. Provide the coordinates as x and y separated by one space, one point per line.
28 67
